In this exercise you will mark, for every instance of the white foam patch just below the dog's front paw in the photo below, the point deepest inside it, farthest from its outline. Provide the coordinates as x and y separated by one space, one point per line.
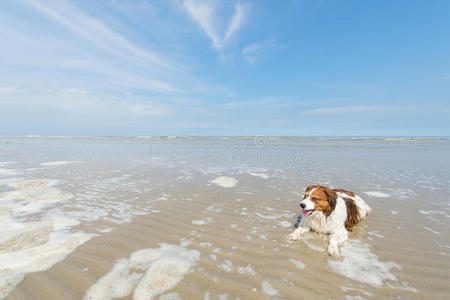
360 264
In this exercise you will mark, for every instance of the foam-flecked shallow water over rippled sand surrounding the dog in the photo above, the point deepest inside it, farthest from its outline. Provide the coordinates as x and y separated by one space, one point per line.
207 218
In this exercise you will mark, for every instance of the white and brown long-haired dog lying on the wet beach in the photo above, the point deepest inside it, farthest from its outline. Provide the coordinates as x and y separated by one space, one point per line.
330 211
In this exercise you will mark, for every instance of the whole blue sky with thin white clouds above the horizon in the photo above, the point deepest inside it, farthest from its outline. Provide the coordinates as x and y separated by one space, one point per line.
206 67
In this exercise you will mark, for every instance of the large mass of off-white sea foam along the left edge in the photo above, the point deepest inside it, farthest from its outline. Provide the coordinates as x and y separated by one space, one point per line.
32 246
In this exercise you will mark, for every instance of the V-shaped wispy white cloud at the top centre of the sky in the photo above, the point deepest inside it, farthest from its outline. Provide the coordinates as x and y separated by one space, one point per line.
206 14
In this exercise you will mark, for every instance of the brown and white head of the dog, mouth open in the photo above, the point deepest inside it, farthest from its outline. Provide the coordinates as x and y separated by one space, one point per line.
318 199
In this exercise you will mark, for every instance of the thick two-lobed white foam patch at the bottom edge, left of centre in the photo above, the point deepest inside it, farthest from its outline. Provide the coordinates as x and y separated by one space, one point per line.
164 268
